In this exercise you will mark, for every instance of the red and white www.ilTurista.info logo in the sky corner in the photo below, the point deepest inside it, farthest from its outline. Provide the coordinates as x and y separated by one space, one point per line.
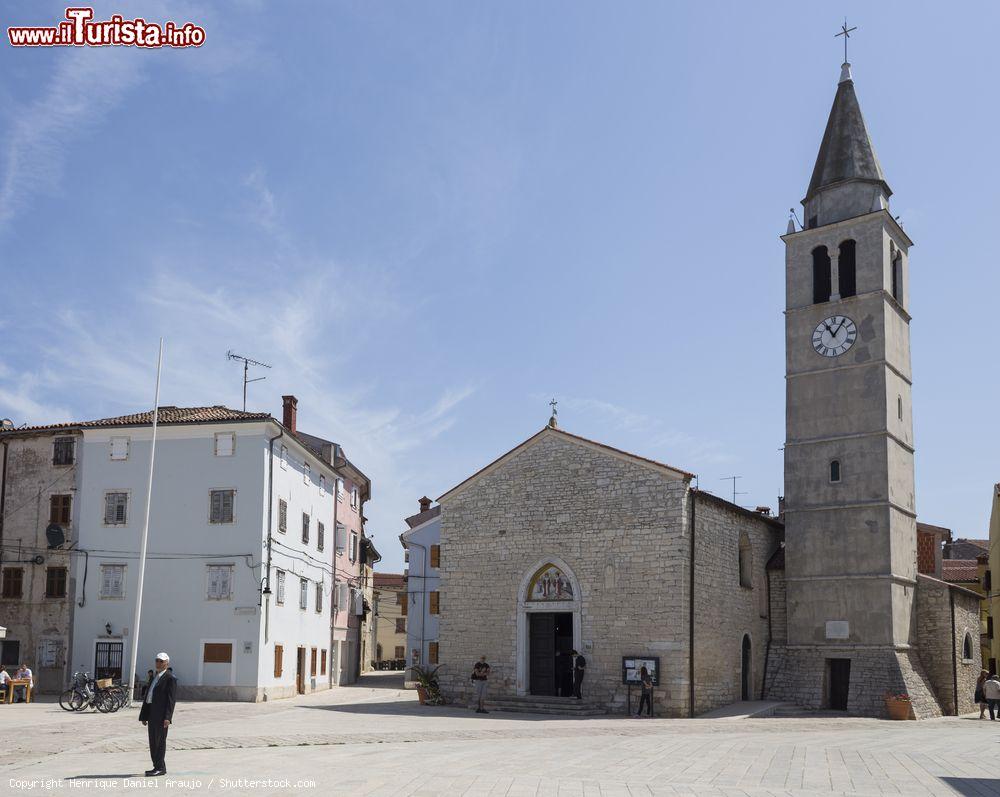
79 30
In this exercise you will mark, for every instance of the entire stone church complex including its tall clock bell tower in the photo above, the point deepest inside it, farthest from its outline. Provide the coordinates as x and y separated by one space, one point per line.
566 544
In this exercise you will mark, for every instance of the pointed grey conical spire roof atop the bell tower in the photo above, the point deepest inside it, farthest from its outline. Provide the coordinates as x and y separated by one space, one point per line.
846 152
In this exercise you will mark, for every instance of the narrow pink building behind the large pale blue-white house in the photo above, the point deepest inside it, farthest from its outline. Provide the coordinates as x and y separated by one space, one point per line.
353 488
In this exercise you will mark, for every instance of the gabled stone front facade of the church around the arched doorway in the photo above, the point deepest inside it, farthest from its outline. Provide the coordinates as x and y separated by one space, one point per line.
618 526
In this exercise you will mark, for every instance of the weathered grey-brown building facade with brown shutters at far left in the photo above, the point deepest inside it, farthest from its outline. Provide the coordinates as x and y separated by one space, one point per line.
39 513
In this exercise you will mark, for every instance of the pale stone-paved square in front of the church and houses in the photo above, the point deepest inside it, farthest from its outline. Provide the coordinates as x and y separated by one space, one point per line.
373 739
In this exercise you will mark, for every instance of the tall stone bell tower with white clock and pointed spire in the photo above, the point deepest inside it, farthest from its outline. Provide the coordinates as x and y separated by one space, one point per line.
850 518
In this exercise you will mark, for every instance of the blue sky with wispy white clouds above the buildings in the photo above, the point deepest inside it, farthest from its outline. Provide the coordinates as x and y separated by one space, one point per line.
432 218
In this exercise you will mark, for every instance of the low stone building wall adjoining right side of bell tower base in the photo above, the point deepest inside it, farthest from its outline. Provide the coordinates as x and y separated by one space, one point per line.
941 648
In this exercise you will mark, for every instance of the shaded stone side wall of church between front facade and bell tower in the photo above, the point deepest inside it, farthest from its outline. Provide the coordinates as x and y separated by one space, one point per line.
725 611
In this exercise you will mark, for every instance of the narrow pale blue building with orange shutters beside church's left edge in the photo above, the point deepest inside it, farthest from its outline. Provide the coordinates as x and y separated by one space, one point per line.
423 555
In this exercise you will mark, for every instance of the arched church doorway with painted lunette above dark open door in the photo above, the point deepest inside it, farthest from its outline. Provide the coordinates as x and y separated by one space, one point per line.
548 629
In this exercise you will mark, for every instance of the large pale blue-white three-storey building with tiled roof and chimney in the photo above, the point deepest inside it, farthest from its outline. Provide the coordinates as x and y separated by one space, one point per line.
238 583
